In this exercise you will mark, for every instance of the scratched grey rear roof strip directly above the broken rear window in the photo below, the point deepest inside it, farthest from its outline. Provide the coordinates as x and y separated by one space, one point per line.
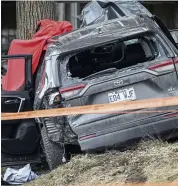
103 32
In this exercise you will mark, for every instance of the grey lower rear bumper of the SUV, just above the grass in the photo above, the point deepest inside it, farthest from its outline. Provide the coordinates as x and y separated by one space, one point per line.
165 129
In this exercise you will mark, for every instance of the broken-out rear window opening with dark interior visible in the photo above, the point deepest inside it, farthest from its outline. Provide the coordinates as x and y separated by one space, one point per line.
116 55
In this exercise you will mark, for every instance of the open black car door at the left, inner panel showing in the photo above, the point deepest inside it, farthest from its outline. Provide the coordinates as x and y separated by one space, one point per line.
19 138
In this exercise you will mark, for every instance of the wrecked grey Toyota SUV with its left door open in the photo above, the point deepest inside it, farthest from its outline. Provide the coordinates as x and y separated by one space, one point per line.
123 59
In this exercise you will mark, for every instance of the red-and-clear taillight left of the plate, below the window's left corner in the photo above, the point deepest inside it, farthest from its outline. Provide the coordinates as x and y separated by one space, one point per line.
72 90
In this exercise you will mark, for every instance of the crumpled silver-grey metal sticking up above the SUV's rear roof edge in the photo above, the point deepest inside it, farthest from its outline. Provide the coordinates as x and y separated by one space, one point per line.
101 10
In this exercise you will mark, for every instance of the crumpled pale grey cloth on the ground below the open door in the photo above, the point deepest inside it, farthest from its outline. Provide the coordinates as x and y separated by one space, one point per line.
19 176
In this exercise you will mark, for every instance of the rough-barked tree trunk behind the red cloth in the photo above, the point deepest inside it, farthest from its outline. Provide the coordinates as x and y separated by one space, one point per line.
28 13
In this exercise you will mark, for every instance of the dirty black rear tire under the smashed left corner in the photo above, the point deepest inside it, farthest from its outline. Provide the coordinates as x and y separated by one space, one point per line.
53 151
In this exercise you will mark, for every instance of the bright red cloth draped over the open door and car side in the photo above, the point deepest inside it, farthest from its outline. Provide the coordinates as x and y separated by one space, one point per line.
14 78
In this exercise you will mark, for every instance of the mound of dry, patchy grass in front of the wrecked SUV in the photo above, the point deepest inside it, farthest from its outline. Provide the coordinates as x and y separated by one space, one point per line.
148 162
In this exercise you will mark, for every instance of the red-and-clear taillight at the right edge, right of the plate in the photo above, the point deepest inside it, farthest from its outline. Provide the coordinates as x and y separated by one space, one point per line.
164 66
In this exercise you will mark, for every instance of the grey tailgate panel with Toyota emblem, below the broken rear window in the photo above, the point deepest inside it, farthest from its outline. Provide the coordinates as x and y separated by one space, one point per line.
135 84
